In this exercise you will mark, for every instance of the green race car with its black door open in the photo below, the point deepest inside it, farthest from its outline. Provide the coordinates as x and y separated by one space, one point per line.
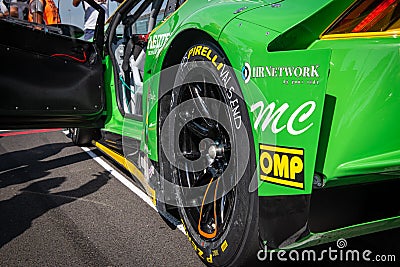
256 124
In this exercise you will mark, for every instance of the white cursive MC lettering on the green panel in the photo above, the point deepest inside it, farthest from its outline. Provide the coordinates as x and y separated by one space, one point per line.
270 115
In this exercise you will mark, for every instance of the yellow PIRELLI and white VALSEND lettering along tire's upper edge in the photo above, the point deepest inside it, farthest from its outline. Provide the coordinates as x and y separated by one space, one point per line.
225 75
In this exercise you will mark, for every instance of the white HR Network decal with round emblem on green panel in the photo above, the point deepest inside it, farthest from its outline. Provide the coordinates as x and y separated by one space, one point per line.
291 74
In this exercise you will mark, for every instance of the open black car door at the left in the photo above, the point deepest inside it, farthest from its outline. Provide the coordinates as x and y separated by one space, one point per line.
49 77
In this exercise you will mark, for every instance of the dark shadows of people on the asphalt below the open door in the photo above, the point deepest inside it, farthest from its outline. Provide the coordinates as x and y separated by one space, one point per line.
24 166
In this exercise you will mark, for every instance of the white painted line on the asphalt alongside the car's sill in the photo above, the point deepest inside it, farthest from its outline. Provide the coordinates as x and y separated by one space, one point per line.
126 182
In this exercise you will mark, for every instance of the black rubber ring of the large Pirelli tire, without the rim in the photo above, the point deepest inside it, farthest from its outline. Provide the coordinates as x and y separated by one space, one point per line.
229 247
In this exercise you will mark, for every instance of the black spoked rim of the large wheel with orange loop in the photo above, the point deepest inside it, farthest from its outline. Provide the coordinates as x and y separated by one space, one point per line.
210 219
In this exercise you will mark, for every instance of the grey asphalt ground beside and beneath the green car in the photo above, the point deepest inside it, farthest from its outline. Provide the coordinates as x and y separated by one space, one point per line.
58 207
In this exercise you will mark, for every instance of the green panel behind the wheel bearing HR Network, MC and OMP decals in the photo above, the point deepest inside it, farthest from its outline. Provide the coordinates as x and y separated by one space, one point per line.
285 93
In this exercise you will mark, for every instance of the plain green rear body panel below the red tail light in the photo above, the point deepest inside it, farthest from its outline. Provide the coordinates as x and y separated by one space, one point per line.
364 84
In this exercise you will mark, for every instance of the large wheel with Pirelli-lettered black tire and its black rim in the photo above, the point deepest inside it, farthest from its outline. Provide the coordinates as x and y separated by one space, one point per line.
226 231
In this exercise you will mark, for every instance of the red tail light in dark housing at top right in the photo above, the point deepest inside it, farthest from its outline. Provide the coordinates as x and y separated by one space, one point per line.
368 16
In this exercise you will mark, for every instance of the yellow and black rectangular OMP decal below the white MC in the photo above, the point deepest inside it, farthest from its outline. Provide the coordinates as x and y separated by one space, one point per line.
282 165
